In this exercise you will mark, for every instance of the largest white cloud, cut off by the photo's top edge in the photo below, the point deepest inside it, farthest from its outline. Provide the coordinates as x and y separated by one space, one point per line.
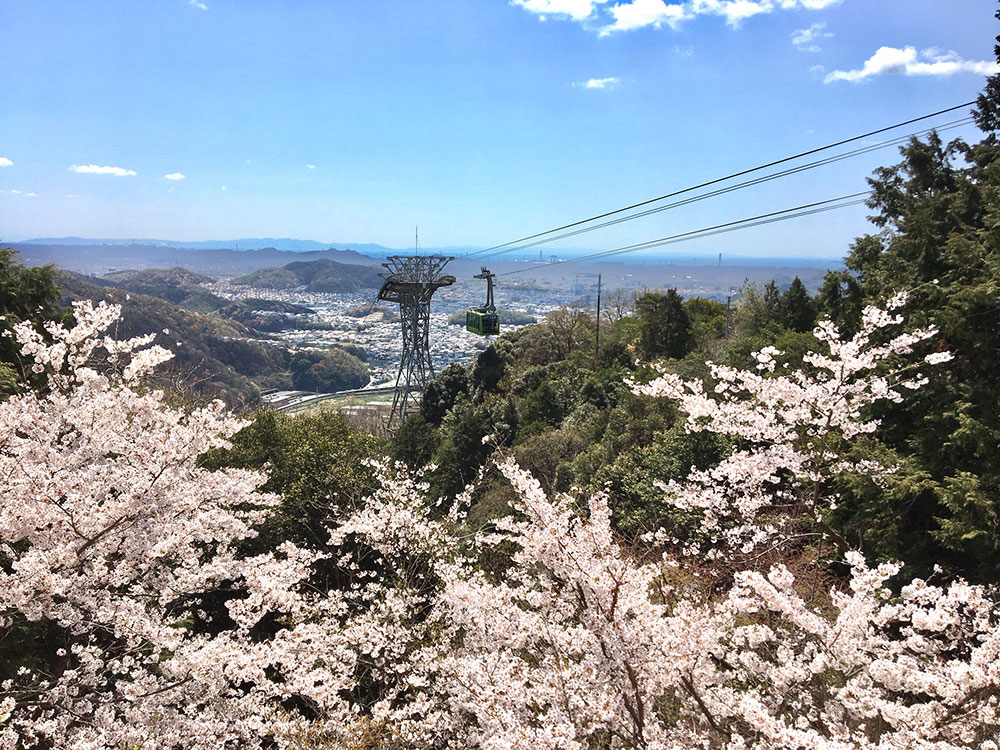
607 18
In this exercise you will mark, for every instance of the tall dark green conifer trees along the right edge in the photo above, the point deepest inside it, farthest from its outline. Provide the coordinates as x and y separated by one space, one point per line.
942 244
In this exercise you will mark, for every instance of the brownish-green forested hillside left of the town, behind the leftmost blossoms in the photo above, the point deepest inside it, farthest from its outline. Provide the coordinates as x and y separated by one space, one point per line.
213 340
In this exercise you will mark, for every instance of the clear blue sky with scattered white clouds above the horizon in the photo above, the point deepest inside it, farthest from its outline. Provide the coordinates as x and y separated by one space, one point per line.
479 120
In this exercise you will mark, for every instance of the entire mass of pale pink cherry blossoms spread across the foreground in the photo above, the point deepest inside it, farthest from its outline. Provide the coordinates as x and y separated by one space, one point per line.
154 630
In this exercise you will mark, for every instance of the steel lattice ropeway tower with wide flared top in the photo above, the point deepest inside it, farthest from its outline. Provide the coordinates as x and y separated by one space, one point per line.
412 281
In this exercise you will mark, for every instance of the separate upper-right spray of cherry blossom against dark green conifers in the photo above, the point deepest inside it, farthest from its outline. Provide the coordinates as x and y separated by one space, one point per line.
792 422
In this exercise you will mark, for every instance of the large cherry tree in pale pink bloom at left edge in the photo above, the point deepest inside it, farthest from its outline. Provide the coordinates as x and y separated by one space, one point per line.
125 555
